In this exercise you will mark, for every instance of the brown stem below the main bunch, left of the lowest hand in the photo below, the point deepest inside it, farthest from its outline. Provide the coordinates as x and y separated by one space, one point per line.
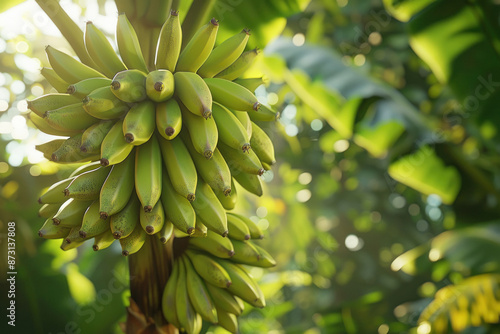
149 271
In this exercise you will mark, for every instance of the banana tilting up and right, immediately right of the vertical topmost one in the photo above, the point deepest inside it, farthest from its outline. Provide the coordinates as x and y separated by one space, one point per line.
198 48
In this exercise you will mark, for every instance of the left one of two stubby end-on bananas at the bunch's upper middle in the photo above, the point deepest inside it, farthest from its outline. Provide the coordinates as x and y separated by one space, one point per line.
129 86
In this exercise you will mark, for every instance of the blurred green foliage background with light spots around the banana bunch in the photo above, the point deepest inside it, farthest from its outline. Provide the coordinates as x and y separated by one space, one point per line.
382 211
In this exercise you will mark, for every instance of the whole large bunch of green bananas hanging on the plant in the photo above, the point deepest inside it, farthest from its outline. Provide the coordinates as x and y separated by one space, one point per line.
162 149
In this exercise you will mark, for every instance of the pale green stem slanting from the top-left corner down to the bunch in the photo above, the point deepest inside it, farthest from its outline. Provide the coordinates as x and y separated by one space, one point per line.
68 28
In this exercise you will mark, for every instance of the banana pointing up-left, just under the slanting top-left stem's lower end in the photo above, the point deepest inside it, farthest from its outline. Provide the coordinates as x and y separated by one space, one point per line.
68 68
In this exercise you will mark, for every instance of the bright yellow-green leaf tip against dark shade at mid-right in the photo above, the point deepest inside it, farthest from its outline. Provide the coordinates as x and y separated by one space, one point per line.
425 172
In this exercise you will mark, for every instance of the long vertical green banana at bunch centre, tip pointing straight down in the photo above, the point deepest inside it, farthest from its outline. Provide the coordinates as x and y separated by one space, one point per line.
148 173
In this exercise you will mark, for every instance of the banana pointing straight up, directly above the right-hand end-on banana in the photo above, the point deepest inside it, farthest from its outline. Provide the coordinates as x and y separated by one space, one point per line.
169 43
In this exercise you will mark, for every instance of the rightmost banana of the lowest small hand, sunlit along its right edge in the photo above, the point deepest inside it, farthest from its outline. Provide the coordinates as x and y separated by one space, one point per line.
243 285
